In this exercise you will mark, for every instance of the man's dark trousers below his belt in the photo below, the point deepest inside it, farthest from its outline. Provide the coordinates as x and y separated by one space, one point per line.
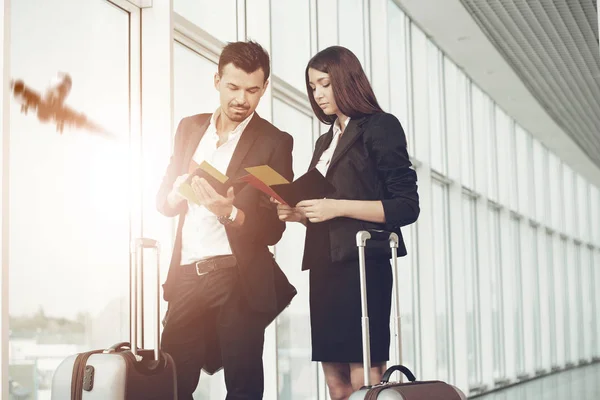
240 331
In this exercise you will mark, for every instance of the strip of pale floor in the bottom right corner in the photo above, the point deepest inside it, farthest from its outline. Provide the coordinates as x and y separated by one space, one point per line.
575 384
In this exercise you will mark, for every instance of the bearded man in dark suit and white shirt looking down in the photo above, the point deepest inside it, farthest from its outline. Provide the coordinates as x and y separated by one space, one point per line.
224 286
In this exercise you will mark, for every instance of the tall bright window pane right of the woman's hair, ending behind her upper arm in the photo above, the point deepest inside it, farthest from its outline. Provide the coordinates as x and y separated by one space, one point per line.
399 55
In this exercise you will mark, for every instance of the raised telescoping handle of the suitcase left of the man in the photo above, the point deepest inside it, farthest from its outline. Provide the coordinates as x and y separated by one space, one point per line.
137 247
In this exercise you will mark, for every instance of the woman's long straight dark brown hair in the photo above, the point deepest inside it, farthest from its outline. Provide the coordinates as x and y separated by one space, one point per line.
351 88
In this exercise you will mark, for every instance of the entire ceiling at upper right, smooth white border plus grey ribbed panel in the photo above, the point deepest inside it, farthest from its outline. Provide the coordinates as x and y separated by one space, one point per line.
537 59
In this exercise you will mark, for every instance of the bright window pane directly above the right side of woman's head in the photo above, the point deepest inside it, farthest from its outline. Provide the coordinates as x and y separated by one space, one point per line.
351 28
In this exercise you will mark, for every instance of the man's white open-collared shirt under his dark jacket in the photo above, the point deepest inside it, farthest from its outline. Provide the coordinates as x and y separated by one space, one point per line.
203 235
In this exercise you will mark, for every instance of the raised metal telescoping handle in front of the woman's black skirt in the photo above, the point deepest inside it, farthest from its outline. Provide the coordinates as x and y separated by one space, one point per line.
361 241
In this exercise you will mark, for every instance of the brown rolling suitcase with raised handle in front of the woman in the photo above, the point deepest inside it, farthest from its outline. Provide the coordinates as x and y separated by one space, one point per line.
385 390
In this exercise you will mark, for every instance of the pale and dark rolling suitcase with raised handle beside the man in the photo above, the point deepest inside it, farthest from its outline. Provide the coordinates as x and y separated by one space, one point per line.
122 371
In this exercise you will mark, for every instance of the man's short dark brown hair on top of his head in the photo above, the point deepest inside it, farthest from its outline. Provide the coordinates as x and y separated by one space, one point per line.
248 56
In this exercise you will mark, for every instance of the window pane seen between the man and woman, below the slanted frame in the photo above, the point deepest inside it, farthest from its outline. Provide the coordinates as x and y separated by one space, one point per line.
297 374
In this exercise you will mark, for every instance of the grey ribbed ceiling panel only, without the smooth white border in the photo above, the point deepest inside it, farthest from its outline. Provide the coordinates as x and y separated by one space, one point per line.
553 47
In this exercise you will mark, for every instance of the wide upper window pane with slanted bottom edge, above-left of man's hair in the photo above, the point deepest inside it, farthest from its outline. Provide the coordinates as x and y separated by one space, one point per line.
219 18
